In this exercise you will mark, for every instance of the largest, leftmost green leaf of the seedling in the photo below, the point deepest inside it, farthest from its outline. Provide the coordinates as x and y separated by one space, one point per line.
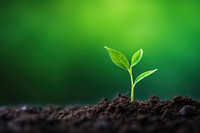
118 58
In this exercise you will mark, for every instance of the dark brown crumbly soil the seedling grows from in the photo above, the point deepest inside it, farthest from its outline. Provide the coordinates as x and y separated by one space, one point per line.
180 115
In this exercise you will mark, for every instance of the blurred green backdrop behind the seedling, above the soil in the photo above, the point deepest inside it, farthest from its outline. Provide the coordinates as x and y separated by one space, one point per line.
52 51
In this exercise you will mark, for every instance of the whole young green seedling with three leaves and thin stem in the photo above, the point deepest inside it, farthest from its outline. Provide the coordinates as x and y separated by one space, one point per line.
120 60
